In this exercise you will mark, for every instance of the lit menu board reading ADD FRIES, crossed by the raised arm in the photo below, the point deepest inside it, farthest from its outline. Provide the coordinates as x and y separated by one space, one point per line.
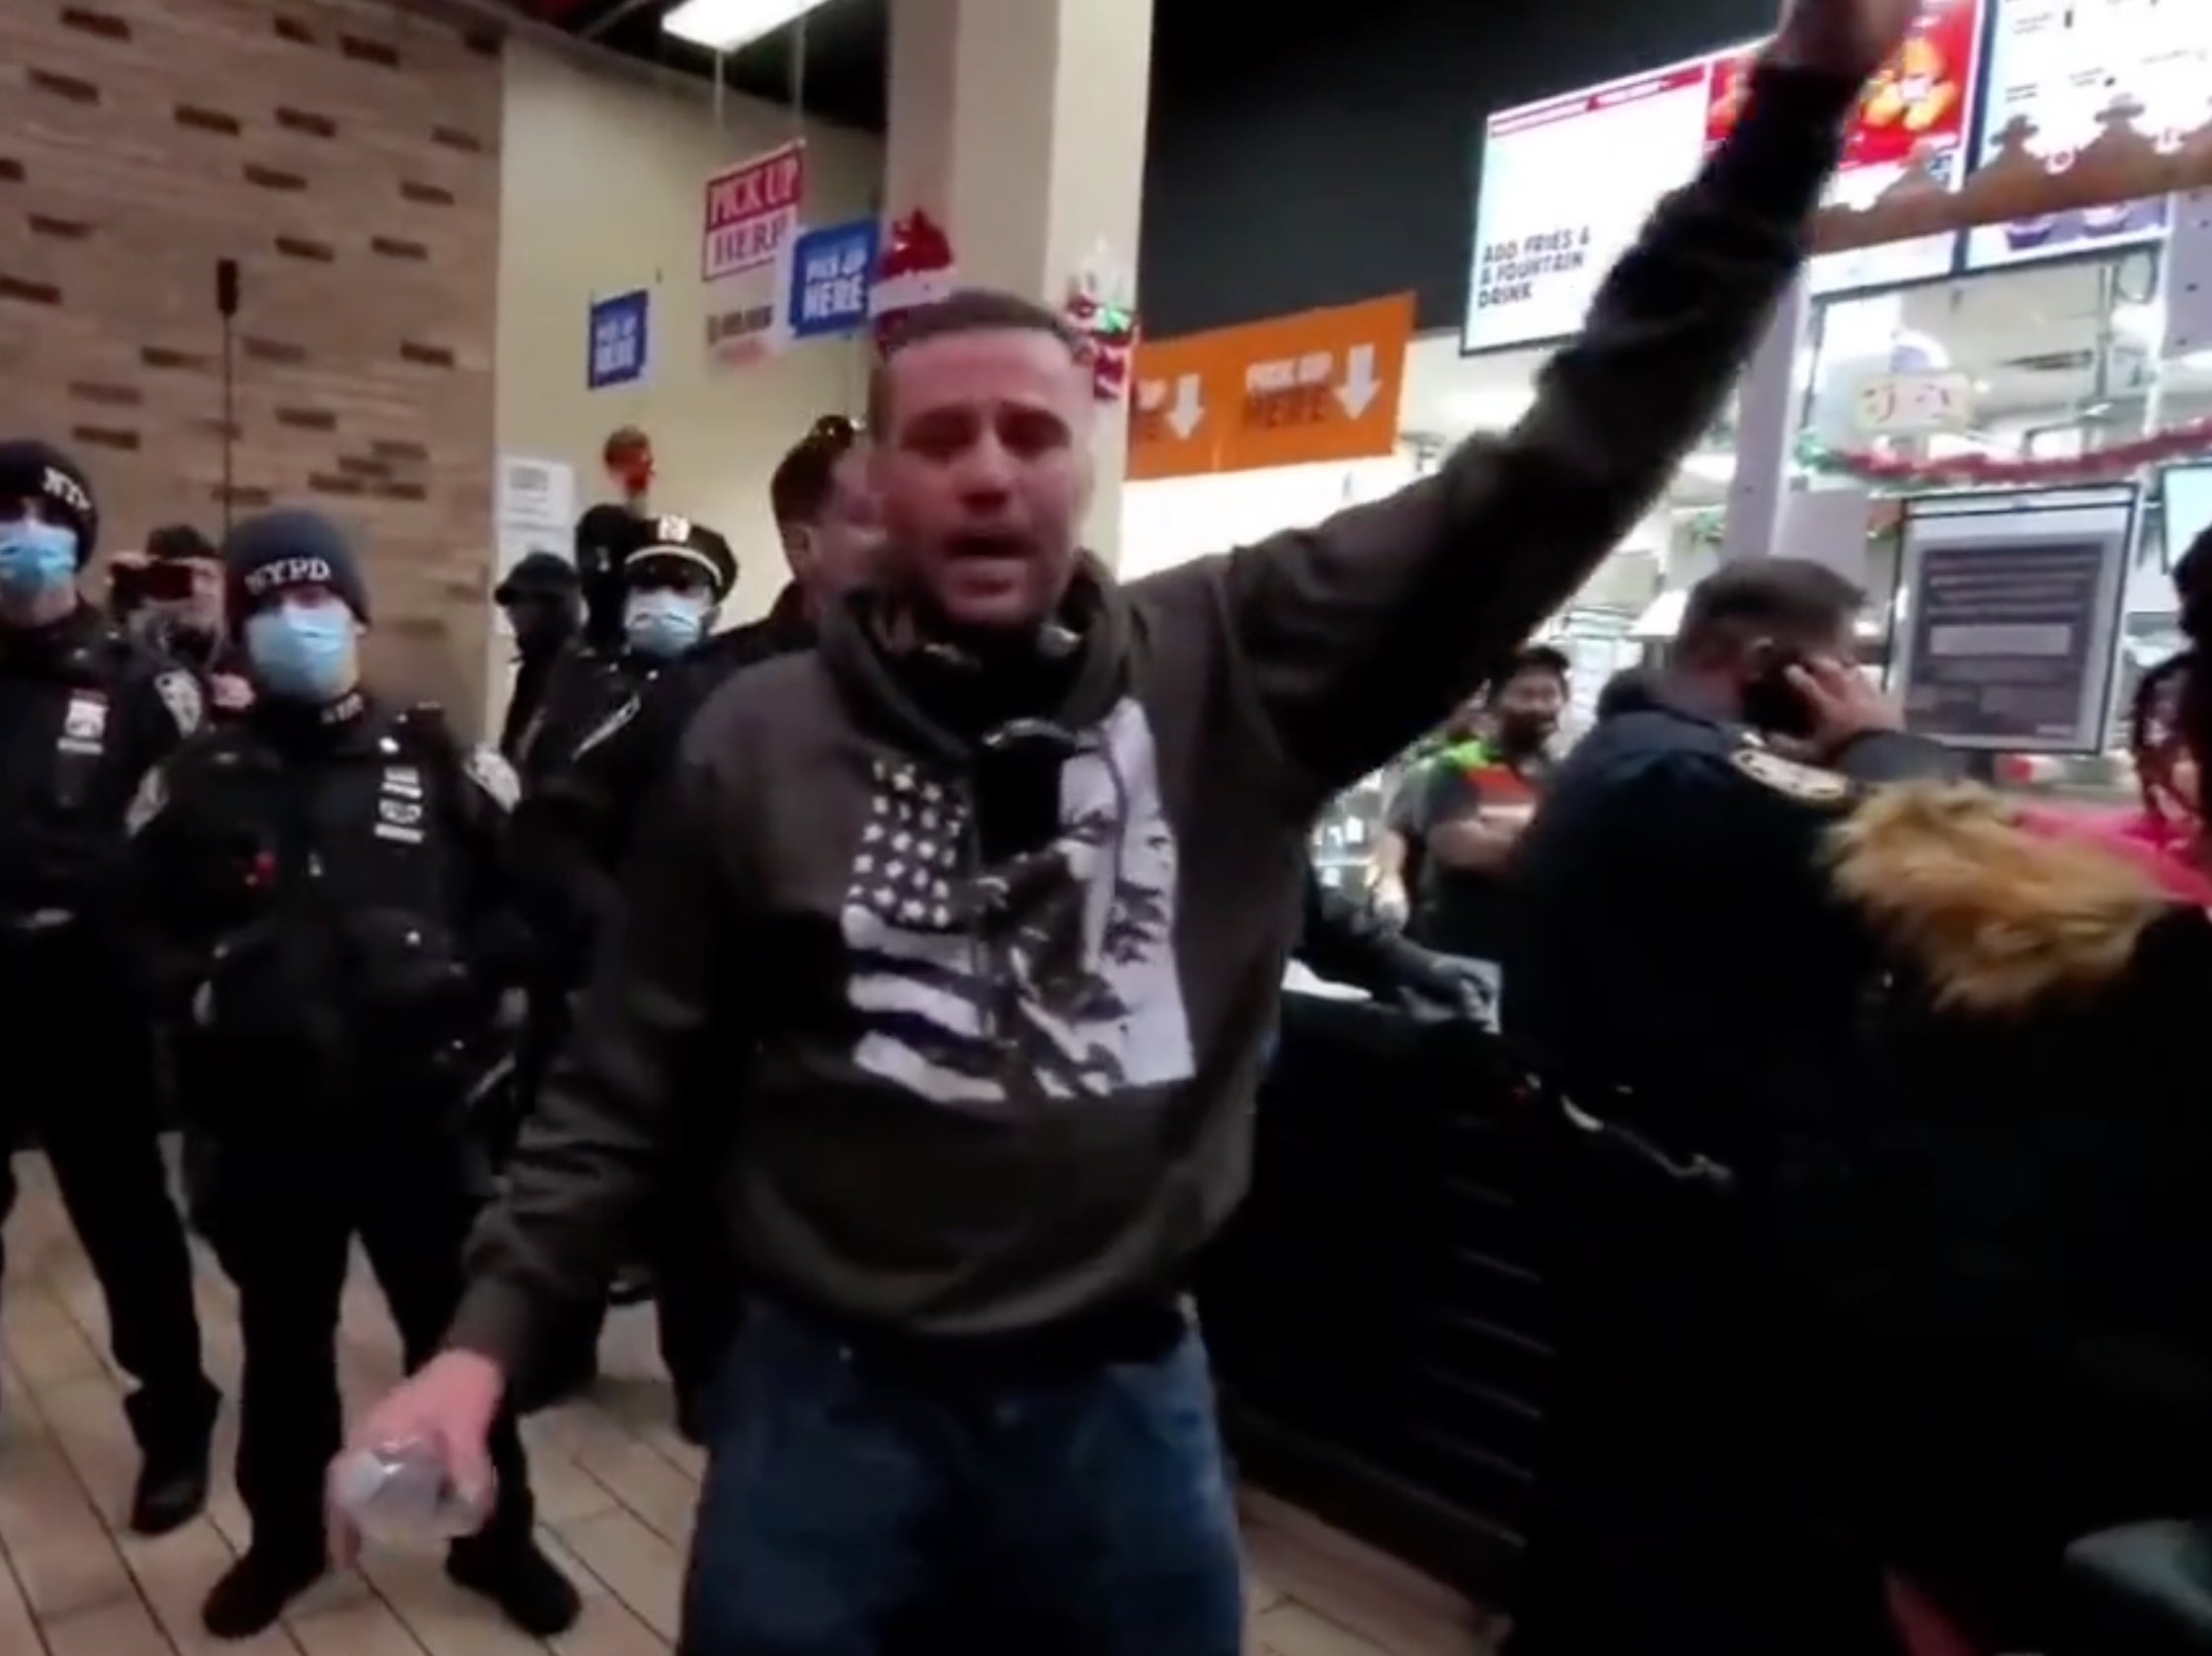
1569 182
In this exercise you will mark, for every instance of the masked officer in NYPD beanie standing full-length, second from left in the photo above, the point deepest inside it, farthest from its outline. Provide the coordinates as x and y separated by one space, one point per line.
326 892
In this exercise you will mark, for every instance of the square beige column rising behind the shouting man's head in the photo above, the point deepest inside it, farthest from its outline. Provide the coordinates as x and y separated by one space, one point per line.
1019 125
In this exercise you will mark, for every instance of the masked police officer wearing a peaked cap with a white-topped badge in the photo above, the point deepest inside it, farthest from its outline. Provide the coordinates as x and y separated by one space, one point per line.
570 843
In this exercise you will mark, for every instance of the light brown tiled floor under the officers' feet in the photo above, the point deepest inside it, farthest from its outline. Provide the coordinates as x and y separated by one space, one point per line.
614 1489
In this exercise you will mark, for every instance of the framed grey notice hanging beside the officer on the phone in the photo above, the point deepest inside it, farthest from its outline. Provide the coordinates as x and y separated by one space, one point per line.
2012 618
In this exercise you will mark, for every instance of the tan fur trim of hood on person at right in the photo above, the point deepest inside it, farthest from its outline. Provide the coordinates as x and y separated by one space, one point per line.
1999 912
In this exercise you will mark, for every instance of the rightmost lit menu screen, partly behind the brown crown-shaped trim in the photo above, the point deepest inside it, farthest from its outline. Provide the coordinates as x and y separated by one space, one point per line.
2067 74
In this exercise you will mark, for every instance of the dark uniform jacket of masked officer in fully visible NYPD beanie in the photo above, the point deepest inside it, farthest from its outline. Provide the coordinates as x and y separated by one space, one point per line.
331 901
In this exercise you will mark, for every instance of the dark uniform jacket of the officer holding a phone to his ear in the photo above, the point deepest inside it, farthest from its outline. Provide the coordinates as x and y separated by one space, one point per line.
1676 930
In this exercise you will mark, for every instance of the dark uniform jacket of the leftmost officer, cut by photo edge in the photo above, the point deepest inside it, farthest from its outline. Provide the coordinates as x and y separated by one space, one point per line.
85 713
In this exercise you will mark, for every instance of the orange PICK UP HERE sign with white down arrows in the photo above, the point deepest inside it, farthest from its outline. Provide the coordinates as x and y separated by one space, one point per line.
1284 392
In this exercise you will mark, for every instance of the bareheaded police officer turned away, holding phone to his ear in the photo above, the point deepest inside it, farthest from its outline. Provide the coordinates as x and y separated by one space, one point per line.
1687 985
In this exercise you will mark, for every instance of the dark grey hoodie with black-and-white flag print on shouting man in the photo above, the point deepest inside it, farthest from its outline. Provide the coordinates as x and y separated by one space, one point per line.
966 983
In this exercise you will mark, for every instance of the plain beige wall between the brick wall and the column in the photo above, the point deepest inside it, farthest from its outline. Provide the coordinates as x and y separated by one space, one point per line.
603 193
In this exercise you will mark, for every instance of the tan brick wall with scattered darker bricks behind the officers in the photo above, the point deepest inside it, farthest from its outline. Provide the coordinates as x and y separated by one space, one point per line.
346 156
